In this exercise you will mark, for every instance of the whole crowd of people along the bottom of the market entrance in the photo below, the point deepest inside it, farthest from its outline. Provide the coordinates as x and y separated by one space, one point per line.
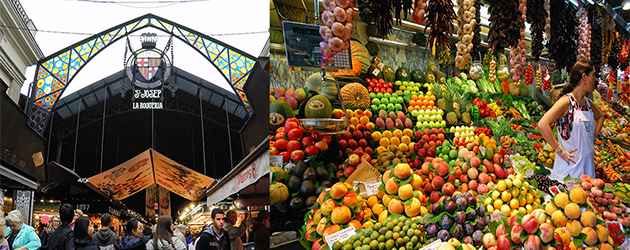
72 231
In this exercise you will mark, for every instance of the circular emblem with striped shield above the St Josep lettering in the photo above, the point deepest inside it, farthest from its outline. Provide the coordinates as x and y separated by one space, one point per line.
148 68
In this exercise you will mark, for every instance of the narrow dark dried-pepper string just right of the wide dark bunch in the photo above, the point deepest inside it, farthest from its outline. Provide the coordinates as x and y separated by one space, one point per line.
537 16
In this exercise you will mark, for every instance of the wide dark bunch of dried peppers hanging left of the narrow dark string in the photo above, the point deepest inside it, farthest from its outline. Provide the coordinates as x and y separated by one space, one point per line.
505 24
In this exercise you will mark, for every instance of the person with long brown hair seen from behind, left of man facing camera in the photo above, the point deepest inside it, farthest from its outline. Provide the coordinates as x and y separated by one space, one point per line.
163 238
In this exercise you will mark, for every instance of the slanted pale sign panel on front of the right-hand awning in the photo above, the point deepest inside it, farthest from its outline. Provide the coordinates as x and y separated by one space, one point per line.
246 176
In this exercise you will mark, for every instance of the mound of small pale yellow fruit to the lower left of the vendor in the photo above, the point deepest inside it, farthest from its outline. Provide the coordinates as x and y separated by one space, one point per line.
511 195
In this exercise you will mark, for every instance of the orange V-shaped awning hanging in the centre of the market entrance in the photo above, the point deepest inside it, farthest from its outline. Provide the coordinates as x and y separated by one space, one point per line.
147 168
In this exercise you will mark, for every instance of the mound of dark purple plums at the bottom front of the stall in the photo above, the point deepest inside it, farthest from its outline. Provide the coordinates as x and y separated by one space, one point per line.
457 217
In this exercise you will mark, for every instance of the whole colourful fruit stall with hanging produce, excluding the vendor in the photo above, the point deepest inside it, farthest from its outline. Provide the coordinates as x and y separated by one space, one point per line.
429 137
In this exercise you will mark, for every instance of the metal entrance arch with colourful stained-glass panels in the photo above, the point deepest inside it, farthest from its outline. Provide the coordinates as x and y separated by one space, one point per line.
55 72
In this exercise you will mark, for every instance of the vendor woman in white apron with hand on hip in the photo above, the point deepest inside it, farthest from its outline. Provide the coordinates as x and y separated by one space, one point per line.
579 121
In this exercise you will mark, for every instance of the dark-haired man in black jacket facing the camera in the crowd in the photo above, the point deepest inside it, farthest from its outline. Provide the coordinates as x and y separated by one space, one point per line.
215 237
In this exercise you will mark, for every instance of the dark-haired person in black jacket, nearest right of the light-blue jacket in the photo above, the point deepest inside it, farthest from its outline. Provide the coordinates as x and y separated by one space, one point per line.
63 237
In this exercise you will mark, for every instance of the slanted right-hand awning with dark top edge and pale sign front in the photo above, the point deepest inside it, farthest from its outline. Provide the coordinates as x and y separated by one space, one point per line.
252 168
